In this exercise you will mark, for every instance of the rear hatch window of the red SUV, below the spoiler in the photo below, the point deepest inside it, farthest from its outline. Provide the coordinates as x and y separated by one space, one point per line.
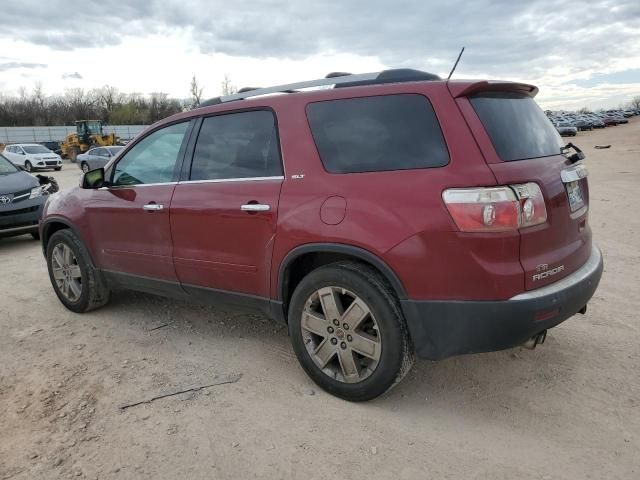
518 128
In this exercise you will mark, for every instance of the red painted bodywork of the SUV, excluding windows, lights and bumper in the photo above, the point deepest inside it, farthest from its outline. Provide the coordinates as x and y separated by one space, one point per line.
202 238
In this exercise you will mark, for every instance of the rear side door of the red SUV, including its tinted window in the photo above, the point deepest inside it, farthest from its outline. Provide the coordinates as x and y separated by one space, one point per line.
223 215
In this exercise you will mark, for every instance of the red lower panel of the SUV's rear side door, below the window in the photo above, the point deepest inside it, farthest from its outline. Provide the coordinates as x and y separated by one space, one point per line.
215 245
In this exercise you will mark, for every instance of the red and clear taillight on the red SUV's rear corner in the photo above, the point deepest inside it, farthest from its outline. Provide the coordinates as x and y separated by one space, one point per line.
496 209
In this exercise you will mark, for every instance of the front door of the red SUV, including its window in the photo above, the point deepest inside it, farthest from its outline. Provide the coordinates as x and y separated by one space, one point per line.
130 216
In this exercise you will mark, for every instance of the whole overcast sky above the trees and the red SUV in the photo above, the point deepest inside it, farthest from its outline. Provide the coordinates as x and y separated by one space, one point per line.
580 53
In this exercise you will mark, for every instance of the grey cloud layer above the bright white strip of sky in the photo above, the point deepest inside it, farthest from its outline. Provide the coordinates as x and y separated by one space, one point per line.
548 42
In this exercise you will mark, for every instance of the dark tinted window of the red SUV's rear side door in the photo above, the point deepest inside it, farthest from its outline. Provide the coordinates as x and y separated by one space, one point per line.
237 145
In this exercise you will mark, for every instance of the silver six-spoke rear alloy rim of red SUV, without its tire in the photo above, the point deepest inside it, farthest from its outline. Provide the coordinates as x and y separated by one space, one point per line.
341 334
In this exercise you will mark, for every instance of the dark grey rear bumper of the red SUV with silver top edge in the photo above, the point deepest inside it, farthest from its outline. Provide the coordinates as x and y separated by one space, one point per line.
441 329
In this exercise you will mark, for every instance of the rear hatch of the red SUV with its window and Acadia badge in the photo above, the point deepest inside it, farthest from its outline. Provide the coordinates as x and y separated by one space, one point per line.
521 145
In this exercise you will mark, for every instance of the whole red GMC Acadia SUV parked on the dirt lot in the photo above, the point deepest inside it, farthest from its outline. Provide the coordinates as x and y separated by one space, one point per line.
382 216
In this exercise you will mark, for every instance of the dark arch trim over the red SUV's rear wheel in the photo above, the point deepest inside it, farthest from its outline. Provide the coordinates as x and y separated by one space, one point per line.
303 259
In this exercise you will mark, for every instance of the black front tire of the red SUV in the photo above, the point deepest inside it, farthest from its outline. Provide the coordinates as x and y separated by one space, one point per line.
93 291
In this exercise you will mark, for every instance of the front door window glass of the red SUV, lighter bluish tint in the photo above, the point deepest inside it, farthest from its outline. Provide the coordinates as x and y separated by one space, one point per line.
153 159
